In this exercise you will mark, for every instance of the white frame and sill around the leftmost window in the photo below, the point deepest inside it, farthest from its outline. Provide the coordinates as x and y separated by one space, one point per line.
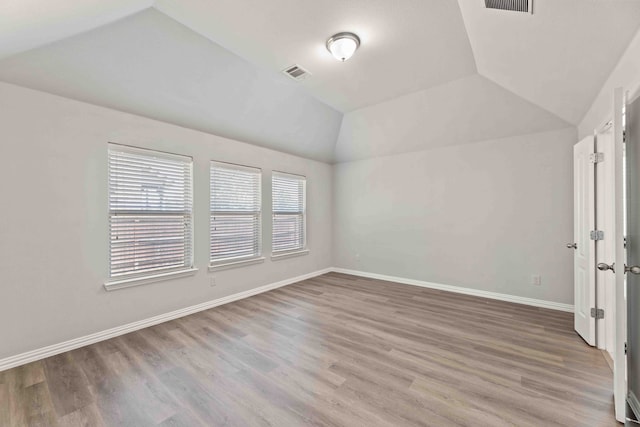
140 278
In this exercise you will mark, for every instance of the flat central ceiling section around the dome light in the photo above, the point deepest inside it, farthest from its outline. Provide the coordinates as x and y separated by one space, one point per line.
406 45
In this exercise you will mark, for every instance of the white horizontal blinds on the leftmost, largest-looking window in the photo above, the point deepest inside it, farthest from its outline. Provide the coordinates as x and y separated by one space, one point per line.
150 212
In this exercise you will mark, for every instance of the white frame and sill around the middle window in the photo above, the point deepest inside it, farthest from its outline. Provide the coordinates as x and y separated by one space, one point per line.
240 261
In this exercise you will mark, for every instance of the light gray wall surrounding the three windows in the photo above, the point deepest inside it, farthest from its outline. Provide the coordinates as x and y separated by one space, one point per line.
53 226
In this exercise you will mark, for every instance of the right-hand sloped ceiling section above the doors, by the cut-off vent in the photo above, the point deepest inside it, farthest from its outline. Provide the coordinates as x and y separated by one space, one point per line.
560 56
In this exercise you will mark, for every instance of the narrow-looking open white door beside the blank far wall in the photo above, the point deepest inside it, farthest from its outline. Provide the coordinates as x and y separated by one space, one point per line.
584 248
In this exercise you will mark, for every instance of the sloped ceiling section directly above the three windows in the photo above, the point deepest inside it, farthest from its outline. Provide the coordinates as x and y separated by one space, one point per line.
150 65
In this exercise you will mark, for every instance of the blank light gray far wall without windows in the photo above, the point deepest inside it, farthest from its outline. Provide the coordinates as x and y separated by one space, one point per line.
486 215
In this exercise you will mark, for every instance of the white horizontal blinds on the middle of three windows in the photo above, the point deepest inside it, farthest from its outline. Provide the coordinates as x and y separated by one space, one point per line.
235 213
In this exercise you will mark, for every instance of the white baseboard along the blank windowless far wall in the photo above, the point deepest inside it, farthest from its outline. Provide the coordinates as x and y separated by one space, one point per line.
460 290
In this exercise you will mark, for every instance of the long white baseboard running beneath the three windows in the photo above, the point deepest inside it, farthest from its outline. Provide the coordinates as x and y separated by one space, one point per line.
52 350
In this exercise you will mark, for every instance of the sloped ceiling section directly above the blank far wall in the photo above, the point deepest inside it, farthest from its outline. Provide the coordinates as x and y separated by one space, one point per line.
483 111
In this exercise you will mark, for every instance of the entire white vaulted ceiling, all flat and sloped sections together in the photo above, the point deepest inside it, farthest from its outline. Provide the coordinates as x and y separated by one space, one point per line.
429 72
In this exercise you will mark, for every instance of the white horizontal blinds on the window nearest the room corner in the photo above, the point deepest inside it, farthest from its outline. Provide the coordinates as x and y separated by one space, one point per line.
289 212
